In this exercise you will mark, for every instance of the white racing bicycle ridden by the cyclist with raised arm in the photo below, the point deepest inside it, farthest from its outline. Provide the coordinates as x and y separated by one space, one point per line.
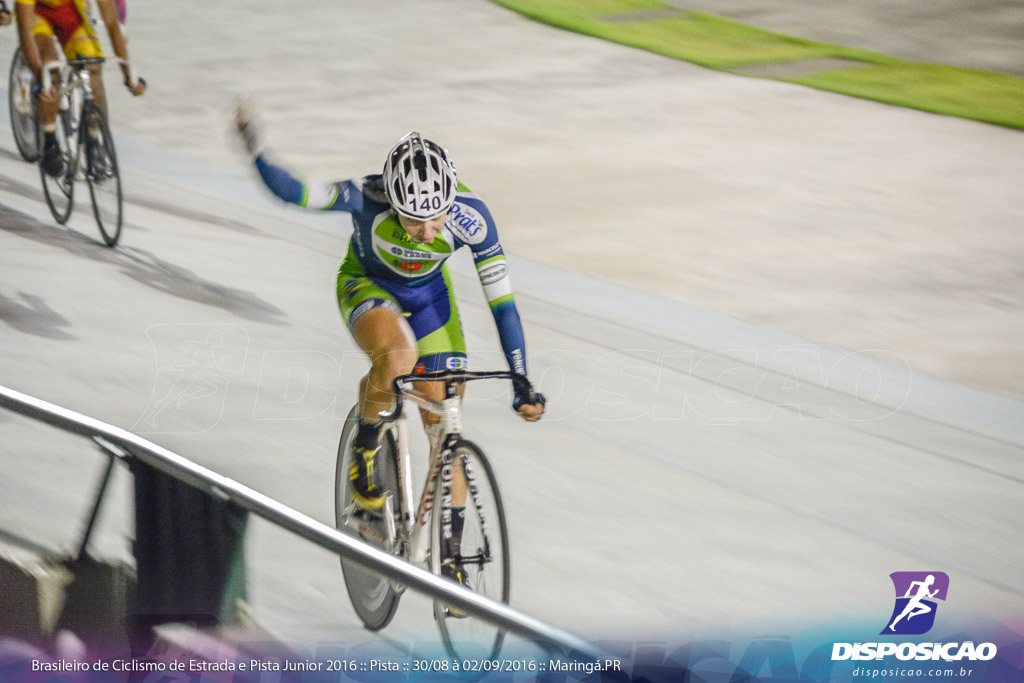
418 534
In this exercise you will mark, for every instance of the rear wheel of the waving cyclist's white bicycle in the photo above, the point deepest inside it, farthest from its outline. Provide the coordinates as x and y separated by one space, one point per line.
373 596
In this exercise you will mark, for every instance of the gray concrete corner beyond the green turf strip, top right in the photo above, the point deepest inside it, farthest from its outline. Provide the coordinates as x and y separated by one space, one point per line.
982 34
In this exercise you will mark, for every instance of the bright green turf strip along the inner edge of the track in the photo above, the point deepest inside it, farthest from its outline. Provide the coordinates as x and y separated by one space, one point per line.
727 46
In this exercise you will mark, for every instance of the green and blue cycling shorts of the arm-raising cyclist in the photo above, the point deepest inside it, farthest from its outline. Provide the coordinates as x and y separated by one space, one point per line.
431 311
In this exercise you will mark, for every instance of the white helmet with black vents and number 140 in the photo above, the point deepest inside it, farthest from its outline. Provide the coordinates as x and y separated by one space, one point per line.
419 179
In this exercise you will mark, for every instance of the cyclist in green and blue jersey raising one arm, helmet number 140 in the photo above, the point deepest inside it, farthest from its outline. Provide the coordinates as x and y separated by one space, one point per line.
394 285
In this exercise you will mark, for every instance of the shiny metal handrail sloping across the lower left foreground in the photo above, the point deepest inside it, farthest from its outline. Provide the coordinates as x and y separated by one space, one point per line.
326 537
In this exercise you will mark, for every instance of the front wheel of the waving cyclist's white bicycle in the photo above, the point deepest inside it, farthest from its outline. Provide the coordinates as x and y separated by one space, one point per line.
484 554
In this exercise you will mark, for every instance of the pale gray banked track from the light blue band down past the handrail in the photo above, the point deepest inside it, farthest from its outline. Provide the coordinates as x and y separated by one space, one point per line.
694 474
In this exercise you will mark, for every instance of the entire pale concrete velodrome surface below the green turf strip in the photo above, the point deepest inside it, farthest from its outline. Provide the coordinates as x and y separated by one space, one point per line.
695 474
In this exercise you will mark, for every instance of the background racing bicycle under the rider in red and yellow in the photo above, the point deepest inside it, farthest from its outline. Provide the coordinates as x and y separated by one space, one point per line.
84 139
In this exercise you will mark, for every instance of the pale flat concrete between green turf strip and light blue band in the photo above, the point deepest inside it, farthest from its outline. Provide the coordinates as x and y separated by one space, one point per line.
854 224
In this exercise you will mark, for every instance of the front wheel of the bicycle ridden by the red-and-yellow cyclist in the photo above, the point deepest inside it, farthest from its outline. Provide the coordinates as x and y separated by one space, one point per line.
103 175
